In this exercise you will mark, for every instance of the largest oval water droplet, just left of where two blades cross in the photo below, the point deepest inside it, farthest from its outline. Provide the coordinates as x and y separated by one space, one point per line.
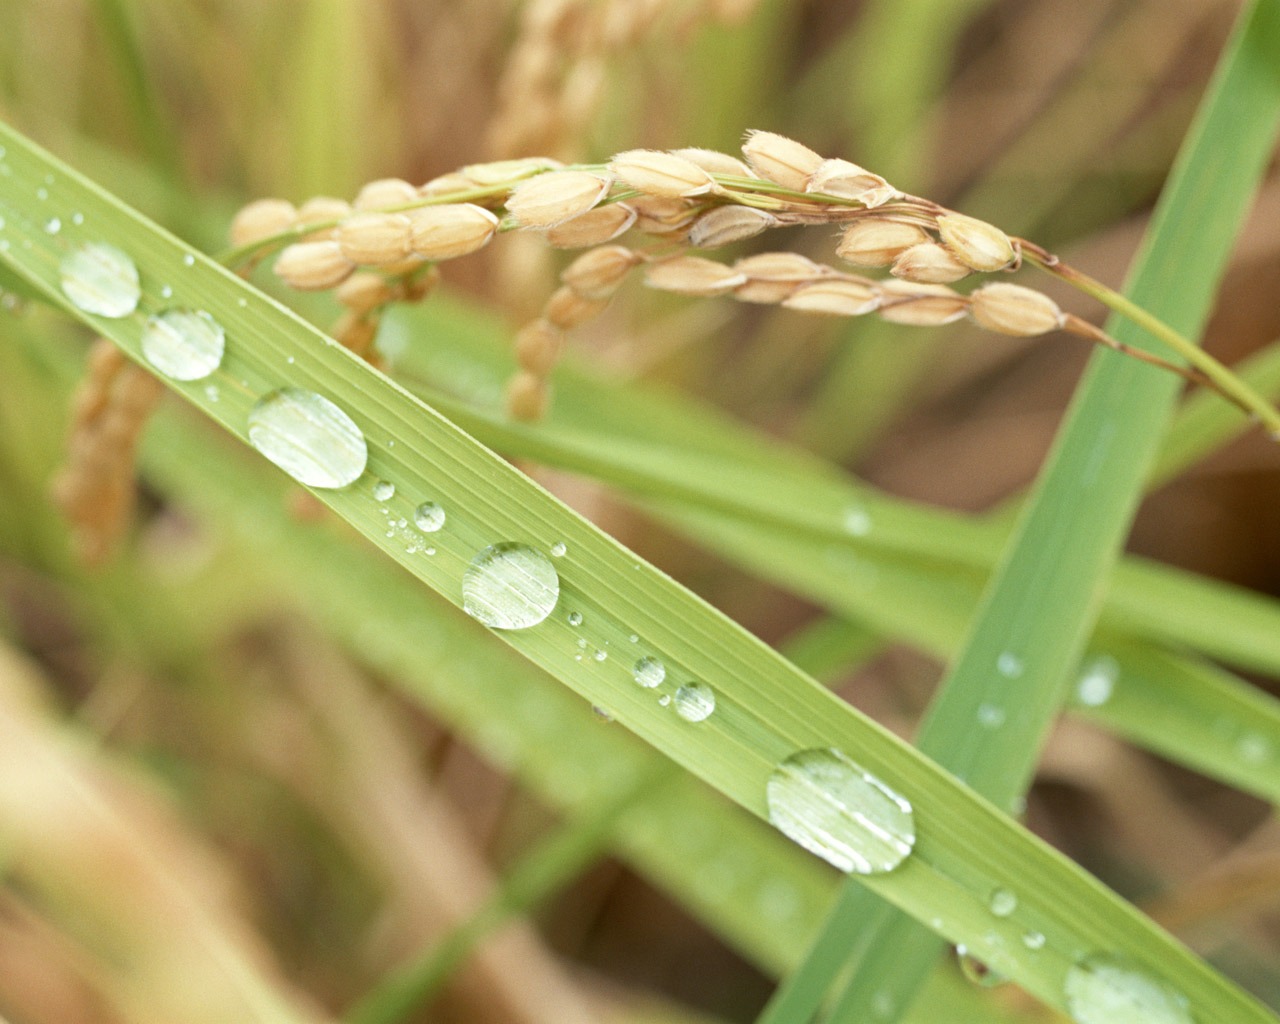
834 808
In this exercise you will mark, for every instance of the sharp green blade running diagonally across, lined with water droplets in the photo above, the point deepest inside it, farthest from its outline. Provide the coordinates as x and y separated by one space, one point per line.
766 710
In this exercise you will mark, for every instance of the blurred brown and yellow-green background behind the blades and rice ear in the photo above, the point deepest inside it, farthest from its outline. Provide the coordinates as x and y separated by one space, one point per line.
230 783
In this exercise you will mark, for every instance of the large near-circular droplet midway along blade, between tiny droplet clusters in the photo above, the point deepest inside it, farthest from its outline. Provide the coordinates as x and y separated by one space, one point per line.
510 587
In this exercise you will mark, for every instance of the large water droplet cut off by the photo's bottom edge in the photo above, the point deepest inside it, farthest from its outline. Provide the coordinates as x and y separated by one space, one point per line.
1107 990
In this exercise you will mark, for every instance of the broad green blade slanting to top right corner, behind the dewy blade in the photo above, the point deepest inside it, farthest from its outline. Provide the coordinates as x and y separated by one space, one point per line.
1041 606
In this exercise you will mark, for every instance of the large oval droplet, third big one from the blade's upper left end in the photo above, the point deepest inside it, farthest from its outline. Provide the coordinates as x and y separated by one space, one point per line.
308 437
